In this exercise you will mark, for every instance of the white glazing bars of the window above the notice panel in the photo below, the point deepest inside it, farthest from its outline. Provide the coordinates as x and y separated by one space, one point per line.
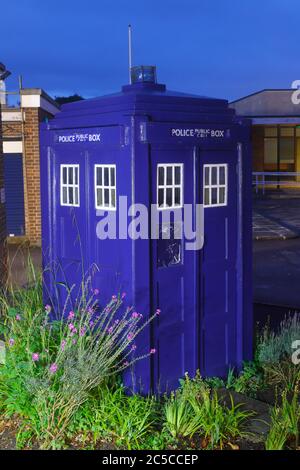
172 186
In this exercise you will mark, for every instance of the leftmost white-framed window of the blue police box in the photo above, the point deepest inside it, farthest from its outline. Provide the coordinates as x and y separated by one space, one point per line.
69 185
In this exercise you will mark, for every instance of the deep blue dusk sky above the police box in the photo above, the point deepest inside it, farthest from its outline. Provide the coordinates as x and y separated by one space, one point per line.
221 48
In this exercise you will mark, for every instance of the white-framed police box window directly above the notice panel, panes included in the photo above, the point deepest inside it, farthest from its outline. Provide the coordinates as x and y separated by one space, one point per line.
170 186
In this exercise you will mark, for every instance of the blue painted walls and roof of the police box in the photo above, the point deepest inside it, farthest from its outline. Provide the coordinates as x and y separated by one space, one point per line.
206 300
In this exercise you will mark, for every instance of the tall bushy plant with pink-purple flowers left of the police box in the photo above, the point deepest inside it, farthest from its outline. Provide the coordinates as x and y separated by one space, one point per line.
52 366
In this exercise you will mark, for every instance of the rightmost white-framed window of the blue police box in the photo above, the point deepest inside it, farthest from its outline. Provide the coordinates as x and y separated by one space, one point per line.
215 185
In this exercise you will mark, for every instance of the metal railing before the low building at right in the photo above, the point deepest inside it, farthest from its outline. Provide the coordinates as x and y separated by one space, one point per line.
263 179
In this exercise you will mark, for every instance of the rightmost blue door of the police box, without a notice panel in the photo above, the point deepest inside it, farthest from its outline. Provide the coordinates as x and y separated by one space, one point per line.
218 180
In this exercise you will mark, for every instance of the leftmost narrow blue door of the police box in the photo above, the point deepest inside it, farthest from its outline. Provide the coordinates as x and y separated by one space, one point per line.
71 222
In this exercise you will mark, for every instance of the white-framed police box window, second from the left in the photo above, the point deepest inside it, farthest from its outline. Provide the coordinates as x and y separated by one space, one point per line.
105 187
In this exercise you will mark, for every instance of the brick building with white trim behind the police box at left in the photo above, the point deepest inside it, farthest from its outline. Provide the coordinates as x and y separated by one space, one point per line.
20 129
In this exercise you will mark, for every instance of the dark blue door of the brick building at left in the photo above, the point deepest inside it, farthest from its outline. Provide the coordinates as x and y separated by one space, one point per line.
14 193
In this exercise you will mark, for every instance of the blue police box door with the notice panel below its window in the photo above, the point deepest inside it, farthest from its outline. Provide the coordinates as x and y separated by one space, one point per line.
173 267
